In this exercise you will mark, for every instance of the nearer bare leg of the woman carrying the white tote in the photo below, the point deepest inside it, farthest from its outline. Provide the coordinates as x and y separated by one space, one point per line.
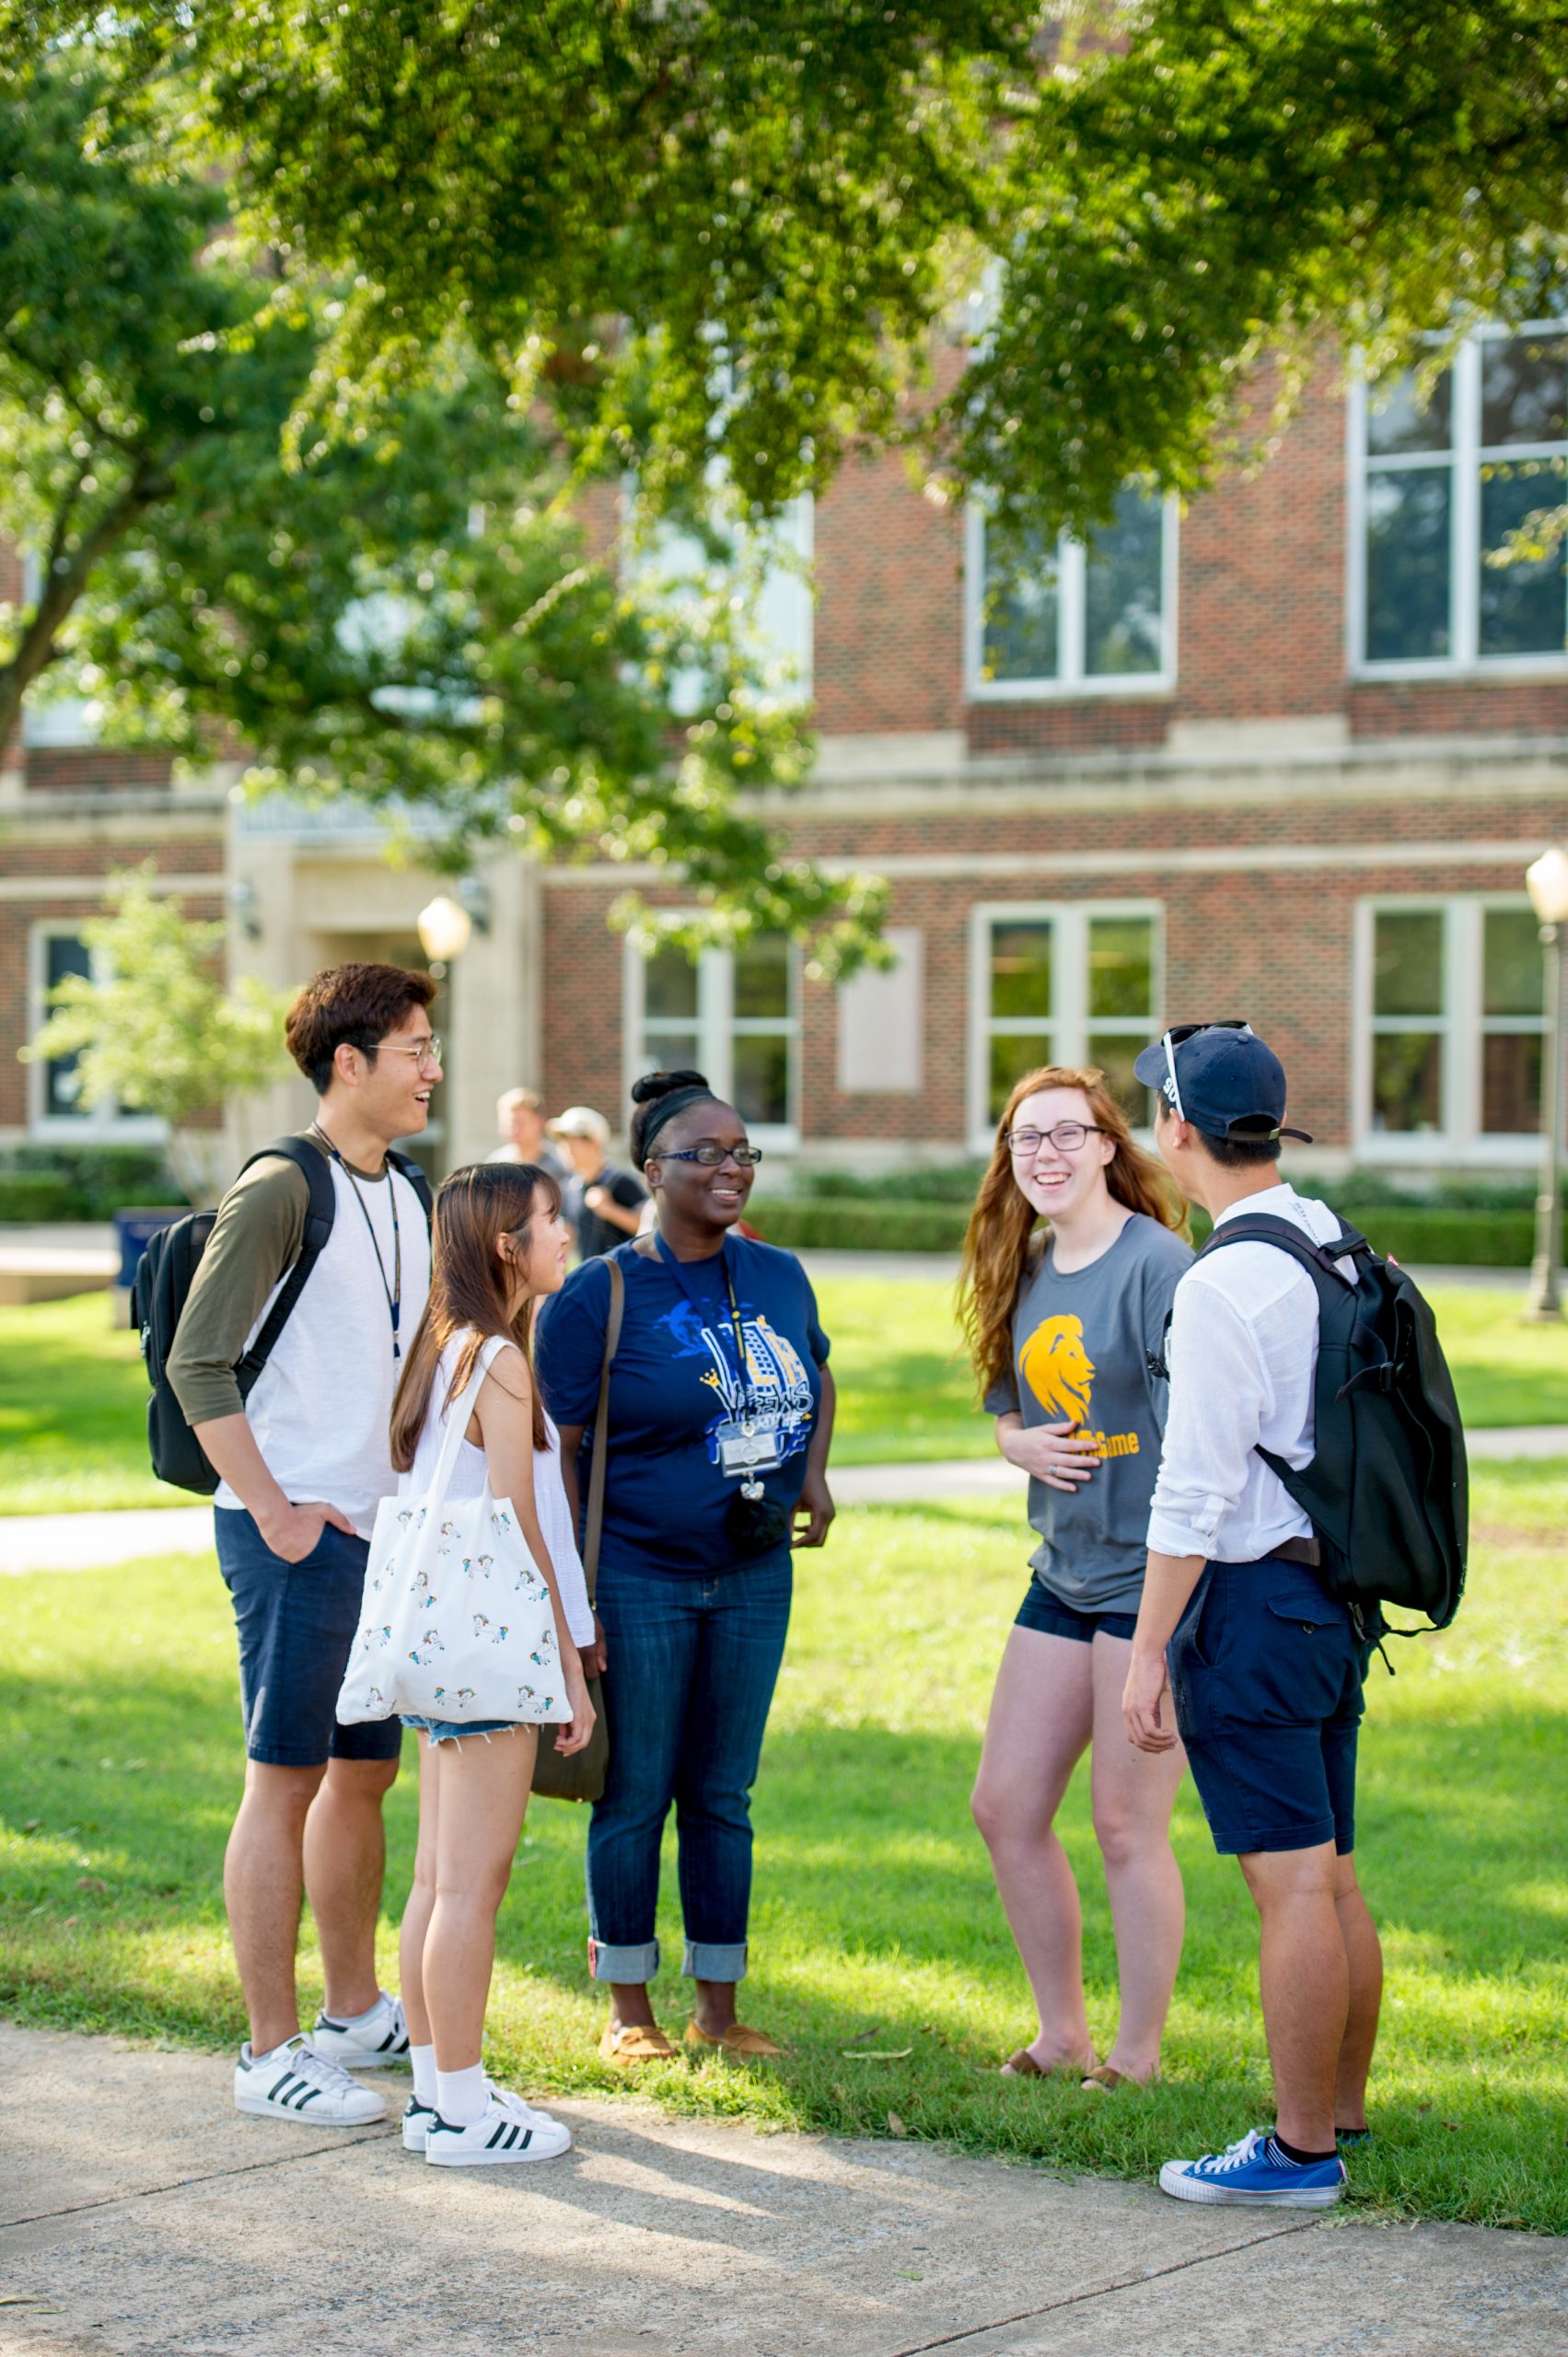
480 1816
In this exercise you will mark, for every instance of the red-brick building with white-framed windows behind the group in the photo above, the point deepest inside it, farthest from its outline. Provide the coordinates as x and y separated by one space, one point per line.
1284 755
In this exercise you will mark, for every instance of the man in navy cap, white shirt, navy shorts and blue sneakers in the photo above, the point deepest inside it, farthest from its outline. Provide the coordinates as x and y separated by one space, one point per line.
1239 1646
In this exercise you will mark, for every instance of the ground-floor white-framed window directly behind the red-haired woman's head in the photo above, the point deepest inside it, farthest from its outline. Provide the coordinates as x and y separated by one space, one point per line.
1060 984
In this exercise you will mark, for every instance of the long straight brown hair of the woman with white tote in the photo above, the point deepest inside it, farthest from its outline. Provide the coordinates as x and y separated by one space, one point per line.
468 1288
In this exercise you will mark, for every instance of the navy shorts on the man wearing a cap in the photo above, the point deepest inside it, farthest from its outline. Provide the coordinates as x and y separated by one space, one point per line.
1267 1675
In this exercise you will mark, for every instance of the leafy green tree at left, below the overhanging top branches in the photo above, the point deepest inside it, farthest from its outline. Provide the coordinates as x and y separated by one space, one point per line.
409 616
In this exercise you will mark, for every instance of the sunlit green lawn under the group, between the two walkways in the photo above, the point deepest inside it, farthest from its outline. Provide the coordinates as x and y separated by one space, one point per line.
876 1922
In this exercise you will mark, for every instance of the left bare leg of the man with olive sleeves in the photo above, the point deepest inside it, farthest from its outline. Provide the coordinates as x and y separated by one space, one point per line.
263 1889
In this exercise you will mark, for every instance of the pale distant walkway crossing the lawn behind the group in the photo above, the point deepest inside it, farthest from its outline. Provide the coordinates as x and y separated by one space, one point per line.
86 1543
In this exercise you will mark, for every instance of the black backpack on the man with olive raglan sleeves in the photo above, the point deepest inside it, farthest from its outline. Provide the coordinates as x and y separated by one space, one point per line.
164 1283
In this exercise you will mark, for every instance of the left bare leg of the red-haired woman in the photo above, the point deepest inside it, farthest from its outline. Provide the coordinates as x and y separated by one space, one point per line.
1039 1729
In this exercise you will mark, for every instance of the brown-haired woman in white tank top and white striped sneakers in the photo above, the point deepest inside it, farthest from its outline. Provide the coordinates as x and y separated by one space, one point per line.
499 1243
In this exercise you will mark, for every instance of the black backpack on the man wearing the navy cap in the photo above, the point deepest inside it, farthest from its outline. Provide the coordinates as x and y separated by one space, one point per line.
1388 1488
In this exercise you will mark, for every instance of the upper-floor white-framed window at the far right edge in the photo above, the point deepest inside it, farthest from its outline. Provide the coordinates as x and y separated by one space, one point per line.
1437 489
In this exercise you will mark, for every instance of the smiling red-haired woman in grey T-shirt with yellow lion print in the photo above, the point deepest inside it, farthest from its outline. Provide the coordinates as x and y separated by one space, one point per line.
1062 1328
